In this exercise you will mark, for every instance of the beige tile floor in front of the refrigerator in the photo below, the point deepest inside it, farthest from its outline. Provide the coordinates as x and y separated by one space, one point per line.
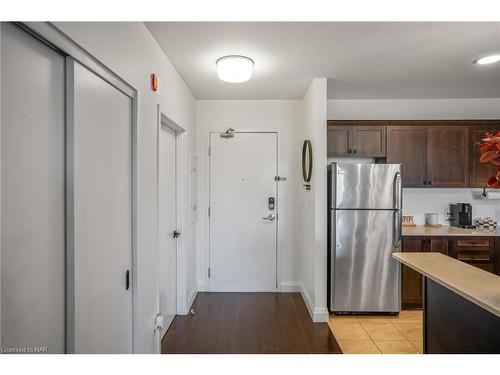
401 334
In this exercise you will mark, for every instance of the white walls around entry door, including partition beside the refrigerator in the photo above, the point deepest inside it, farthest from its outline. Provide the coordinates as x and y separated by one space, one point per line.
302 226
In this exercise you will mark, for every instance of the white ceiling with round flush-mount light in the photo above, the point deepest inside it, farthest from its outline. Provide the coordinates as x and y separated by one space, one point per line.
362 60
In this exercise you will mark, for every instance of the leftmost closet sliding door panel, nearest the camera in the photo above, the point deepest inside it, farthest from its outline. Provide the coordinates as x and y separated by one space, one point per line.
32 198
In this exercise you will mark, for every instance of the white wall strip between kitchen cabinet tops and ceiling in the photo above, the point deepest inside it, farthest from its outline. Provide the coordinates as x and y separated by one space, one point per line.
410 109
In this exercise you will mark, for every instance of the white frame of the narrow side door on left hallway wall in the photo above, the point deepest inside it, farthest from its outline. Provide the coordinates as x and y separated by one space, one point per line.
180 285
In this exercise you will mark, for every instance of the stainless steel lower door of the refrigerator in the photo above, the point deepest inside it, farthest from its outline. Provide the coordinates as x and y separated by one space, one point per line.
365 276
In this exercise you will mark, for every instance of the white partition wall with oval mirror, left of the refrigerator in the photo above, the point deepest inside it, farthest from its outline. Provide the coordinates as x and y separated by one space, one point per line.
311 225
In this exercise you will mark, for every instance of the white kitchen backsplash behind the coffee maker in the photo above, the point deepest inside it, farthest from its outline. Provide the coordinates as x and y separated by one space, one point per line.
417 202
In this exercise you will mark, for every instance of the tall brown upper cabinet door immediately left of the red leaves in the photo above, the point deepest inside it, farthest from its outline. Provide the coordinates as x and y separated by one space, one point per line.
447 156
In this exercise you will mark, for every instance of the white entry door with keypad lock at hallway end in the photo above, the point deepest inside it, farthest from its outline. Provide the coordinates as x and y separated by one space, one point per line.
243 221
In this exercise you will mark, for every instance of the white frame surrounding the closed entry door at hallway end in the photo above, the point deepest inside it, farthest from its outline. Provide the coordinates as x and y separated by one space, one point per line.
209 193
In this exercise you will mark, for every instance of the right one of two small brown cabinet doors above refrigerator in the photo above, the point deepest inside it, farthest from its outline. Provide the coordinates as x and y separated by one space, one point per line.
369 141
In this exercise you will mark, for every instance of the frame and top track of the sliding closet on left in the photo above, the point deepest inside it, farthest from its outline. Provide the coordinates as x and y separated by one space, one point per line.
54 38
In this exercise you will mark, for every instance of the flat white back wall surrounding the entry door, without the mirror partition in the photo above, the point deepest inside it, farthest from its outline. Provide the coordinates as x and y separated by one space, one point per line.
282 116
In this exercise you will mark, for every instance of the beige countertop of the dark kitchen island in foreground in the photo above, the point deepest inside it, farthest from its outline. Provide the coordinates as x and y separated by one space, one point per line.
472 283
